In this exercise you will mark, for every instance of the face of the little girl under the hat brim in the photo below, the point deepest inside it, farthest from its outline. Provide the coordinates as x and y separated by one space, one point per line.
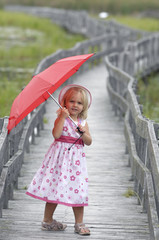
75 104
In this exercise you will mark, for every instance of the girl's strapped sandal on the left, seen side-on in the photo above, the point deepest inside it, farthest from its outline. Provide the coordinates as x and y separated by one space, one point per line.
54 226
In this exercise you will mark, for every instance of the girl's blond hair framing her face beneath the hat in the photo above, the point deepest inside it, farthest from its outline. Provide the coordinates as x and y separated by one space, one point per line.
68 94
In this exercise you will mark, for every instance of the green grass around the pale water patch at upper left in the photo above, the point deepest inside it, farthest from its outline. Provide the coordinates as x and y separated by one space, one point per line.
52 38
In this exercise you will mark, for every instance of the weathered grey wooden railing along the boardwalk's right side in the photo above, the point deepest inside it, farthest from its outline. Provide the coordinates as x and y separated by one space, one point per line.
138 59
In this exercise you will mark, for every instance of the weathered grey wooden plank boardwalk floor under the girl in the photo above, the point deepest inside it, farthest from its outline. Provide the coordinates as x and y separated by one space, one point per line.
110 215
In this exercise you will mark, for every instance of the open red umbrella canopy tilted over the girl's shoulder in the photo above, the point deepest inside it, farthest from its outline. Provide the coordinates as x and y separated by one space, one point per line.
38 89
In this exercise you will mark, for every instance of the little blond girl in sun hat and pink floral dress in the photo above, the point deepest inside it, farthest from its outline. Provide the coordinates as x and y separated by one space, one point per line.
63 178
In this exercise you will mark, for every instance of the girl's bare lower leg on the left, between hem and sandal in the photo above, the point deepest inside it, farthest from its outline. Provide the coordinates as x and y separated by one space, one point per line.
49 211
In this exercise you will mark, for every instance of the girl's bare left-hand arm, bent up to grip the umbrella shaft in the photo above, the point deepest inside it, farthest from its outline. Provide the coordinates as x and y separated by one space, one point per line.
59 122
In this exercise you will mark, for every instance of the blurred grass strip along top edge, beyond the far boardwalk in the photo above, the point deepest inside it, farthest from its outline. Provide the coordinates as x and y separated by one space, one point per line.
95 6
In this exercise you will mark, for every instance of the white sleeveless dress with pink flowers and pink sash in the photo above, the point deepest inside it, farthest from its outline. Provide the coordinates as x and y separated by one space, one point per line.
62 177
